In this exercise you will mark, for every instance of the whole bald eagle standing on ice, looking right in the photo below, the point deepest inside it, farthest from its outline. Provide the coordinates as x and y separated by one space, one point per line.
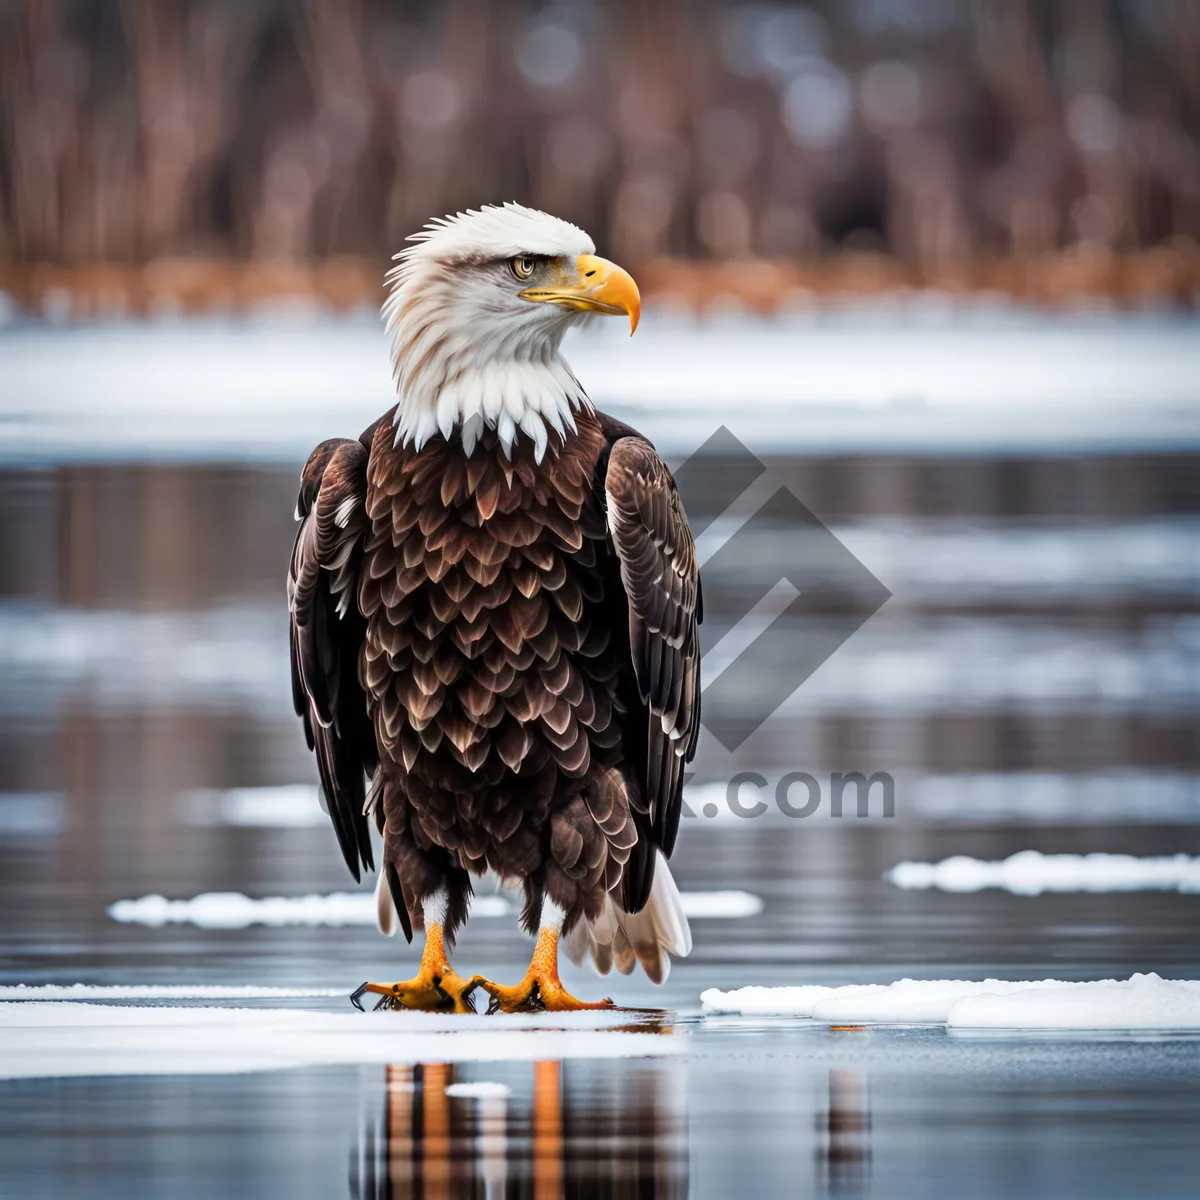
494 603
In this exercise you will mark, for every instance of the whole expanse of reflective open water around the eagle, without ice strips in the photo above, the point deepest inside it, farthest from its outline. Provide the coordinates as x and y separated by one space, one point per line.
1033 683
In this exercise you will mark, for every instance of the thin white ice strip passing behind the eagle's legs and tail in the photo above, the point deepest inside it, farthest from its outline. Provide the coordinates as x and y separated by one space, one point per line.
232 910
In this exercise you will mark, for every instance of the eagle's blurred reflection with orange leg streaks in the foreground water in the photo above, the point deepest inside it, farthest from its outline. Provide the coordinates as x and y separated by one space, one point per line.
613 1130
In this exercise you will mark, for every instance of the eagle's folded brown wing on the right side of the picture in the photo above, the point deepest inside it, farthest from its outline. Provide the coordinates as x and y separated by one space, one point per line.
662 580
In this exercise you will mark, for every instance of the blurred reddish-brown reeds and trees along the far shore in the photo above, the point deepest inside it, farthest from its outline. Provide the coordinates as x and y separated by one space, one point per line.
165 154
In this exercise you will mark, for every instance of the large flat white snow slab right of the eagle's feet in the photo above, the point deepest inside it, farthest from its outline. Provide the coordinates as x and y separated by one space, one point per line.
1142 1003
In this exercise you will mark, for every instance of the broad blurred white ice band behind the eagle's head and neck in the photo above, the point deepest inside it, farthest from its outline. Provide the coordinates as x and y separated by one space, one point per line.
1024 379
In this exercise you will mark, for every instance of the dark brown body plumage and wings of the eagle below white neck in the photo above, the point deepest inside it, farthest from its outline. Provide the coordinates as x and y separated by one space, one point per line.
511 651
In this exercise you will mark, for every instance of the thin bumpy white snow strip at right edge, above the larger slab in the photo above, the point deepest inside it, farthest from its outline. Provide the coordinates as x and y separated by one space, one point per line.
1031 873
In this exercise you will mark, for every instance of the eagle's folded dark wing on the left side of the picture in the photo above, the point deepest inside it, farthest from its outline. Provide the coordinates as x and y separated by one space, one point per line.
327 632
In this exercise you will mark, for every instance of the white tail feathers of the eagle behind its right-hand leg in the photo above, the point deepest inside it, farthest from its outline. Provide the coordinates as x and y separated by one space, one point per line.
622 940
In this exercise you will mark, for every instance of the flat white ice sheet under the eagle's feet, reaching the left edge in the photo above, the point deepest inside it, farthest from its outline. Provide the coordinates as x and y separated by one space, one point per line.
65 1039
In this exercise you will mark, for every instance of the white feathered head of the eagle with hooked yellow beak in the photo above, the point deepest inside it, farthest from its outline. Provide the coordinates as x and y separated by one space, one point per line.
478 309
